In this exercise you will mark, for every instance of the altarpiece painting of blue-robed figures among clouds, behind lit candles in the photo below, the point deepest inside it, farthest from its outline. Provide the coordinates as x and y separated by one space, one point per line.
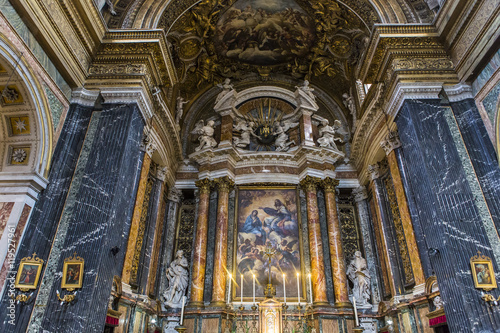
267 216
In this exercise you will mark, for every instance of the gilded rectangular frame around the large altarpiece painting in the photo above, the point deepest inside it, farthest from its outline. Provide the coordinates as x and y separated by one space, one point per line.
234 272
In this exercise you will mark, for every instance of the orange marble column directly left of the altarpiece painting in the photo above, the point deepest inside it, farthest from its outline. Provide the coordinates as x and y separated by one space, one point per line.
224 186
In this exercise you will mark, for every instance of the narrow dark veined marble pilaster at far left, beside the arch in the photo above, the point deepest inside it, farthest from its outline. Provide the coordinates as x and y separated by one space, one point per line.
44 219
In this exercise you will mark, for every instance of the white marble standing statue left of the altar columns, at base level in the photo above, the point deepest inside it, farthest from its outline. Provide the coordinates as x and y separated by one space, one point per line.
177 276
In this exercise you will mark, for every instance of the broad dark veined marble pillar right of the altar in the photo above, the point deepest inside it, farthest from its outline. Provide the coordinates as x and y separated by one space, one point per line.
447 209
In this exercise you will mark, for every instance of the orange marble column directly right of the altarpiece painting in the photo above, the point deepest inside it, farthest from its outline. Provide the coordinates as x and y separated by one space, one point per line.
309 184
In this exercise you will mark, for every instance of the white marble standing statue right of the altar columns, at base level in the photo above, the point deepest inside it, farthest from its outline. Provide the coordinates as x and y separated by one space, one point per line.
357 271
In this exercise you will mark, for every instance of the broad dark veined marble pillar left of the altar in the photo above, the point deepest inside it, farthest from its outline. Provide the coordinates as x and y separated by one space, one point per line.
96 218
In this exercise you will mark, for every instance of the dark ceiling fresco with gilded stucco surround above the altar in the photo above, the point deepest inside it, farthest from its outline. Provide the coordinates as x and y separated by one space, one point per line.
261 40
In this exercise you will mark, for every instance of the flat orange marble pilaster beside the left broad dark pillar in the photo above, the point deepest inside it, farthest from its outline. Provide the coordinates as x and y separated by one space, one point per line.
136 219
